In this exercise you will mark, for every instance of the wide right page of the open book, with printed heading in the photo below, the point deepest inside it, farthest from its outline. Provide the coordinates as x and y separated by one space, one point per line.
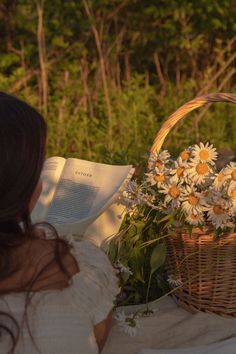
84 191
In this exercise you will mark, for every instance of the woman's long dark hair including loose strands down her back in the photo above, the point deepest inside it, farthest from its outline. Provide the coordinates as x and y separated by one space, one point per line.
22 152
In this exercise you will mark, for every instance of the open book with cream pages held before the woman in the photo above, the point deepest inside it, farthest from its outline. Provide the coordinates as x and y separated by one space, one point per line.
75 192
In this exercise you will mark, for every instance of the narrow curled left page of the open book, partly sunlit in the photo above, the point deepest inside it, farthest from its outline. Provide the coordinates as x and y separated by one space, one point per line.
50 175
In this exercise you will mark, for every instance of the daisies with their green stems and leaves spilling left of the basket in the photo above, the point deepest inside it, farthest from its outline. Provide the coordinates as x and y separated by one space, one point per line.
177 196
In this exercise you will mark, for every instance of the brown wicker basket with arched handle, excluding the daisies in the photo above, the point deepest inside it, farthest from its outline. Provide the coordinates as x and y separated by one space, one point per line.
206 267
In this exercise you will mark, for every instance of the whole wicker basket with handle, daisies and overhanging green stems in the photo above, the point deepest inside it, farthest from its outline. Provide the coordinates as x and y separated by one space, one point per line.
179 233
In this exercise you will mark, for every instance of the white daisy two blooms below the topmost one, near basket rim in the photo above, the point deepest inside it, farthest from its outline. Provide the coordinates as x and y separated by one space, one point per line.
192 201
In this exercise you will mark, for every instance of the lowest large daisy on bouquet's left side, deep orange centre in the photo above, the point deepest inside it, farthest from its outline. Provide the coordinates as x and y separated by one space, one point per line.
173 192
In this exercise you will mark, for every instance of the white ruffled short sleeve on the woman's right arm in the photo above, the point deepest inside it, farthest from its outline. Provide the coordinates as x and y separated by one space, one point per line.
95 287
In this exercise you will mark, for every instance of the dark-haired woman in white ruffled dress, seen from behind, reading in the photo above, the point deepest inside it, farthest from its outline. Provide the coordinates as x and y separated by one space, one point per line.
56 295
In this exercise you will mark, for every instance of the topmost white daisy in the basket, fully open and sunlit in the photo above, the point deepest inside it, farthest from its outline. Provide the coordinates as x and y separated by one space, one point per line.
204 153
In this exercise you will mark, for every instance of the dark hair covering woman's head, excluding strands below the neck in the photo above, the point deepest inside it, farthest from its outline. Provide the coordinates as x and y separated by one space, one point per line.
22 153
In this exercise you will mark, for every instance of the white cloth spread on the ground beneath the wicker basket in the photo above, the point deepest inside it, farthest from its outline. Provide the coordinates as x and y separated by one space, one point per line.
172 328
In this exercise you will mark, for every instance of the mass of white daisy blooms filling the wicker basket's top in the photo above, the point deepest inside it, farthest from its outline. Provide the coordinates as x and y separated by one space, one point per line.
190 190
